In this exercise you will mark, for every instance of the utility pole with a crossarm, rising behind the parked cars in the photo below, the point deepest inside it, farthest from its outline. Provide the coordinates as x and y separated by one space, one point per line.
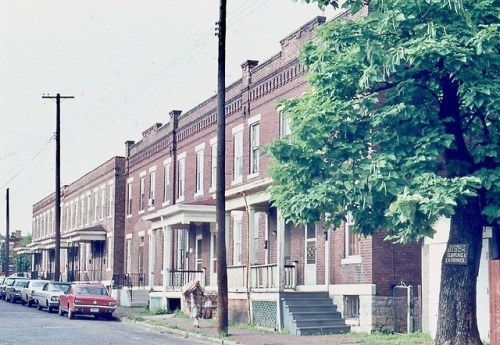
57 256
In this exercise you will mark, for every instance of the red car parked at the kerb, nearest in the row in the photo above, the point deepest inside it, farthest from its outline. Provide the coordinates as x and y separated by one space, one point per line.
87 299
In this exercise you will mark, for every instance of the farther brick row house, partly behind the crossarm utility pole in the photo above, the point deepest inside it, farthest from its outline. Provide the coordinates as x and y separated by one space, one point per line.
92 227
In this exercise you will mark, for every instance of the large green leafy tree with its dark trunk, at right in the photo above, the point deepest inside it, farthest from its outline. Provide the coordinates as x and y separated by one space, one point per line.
400 125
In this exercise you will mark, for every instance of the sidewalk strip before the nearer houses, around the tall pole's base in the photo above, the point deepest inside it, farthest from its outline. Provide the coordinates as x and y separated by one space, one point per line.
238 334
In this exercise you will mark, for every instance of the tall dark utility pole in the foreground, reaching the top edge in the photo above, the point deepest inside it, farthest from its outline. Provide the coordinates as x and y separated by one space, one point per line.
222 298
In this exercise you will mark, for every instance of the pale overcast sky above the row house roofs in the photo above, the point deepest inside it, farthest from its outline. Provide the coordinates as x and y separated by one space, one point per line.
127 63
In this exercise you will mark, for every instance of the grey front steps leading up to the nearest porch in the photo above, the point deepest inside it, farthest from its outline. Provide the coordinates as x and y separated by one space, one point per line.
311 313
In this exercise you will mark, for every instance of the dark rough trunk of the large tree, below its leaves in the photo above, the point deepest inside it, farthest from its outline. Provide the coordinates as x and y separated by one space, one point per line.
457 321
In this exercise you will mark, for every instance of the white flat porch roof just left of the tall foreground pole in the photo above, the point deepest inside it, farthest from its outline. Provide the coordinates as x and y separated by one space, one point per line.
178 214
